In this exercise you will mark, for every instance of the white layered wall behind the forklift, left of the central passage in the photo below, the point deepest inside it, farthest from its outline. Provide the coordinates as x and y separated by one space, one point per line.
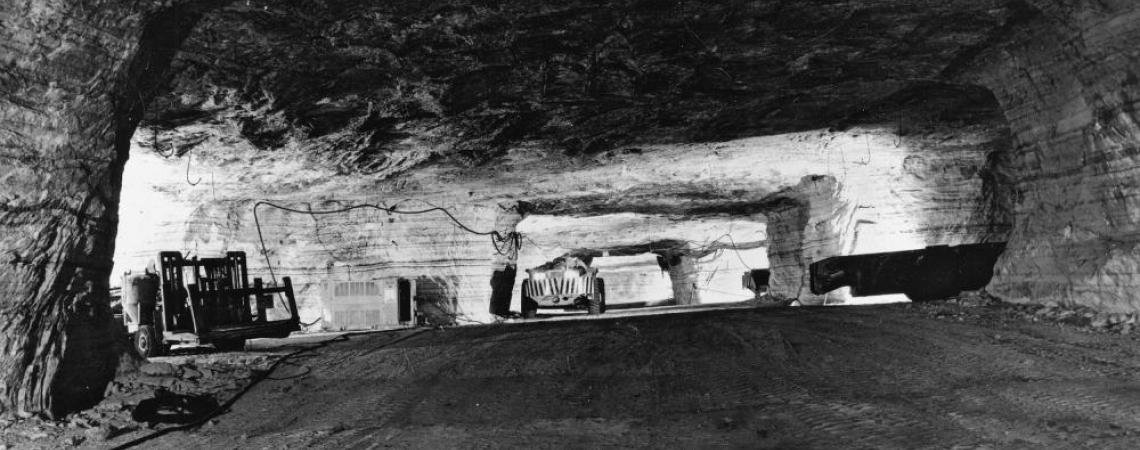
164 212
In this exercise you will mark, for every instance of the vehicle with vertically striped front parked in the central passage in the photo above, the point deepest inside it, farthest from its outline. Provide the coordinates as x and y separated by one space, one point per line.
569 285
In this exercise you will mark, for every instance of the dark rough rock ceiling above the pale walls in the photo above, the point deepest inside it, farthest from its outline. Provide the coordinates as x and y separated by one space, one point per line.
386 87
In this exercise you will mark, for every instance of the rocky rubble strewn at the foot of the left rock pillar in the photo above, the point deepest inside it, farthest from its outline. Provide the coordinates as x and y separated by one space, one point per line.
198 384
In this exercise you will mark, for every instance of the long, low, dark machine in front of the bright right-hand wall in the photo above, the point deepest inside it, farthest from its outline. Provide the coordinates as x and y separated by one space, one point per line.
929 274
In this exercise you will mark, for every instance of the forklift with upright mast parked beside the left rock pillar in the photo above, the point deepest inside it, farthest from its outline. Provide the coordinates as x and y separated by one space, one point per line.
202 301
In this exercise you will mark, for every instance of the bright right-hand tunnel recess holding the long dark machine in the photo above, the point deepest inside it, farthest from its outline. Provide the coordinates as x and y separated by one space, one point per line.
951 186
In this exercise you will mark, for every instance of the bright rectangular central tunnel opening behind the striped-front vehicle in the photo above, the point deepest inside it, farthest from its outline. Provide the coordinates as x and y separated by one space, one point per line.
648 260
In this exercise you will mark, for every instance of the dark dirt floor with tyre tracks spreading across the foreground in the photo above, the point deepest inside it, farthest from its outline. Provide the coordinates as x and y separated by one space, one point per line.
941 375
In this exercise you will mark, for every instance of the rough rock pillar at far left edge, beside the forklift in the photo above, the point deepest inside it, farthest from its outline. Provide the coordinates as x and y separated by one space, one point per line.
75 77
